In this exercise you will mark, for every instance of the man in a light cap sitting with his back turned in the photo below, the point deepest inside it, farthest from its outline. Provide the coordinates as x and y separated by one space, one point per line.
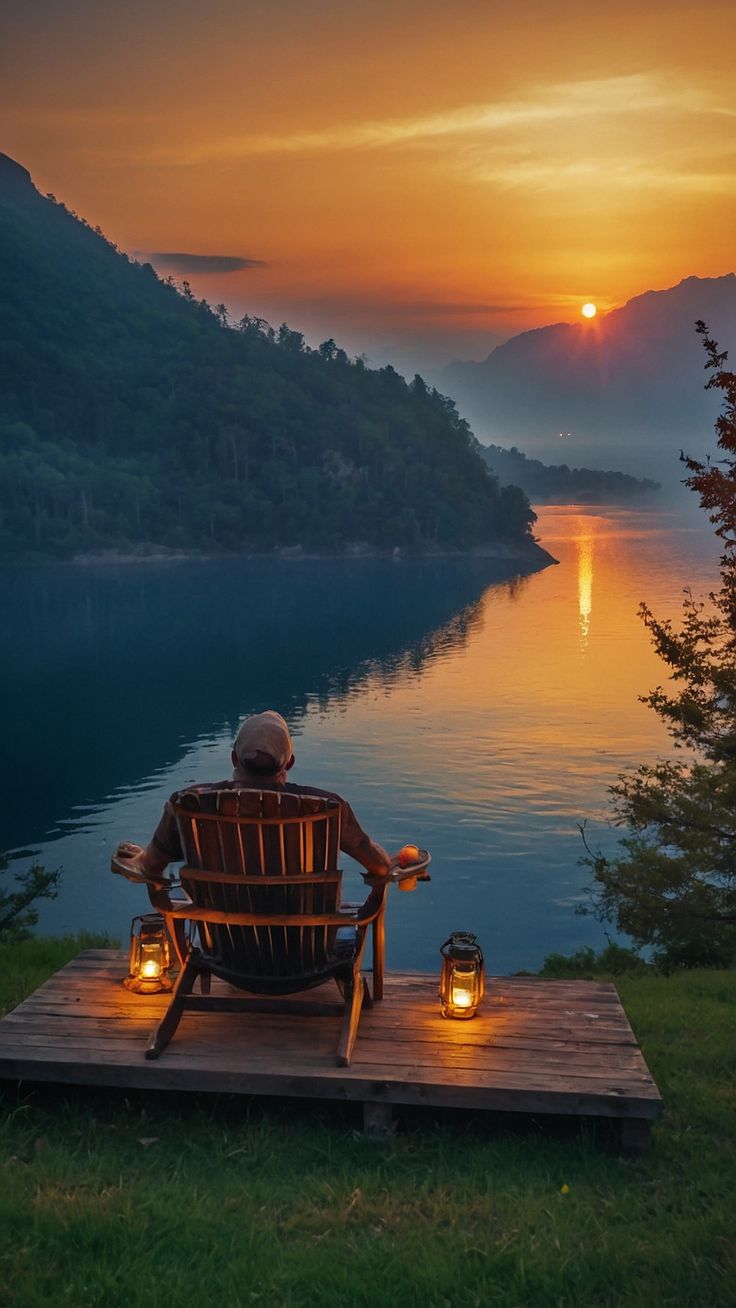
262 757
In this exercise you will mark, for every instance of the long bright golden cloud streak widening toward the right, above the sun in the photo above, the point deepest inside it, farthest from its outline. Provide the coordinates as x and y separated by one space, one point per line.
607 138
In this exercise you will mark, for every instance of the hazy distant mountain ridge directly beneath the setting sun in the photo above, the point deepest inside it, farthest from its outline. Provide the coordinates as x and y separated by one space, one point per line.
626 388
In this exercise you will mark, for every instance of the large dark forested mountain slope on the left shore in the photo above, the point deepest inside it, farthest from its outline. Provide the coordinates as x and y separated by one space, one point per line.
131 413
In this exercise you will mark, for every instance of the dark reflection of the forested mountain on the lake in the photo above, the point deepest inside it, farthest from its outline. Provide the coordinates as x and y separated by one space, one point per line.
109 673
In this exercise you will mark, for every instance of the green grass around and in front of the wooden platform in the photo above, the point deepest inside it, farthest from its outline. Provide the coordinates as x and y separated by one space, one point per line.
151 1201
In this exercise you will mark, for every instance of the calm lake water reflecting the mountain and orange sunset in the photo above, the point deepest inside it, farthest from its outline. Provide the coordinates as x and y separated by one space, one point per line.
480 717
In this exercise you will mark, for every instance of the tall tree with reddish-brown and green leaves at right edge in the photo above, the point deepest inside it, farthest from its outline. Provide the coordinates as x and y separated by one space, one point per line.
674 884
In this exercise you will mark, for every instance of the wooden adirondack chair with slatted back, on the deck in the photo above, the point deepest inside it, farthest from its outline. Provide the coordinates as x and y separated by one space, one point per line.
265 911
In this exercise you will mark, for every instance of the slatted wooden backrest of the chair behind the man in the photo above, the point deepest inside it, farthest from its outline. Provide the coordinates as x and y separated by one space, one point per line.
256 844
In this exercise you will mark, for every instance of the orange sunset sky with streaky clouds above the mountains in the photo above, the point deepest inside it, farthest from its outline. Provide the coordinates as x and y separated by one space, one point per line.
416 180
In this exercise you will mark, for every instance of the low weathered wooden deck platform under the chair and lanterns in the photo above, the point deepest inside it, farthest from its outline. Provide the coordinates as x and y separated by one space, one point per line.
535 1047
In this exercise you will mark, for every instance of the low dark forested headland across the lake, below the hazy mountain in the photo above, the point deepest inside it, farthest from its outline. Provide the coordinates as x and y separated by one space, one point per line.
560 483
